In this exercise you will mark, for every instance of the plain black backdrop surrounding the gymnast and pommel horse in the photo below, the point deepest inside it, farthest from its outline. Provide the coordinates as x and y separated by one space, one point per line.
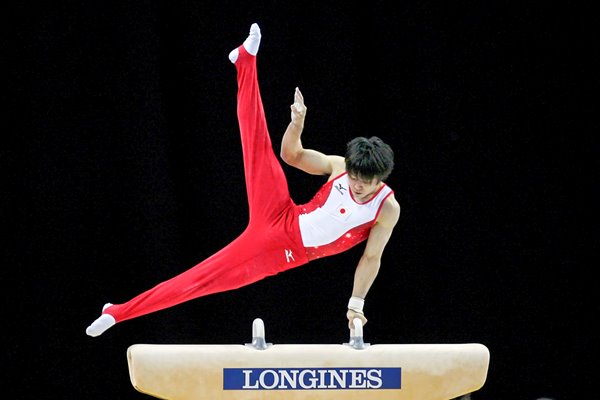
123 168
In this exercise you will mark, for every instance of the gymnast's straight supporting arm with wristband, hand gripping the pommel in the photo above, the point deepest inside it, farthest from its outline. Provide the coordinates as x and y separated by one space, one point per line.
369 263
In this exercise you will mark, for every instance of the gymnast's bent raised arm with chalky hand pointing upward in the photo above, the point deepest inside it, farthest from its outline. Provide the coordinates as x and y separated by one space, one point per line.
292 151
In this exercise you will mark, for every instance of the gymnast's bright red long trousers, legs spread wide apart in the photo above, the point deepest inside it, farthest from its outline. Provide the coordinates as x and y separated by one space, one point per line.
270 244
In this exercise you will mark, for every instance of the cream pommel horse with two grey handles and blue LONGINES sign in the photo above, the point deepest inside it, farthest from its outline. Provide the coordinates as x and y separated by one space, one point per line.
353 370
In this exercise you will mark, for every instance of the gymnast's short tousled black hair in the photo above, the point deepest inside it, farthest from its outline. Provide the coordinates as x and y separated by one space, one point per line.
369 158
